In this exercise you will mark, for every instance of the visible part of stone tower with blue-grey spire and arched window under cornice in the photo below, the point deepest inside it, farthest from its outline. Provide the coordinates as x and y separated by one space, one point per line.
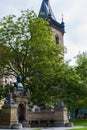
58 28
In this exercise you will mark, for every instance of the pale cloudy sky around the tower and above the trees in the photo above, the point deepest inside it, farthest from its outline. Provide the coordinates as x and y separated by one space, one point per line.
75 18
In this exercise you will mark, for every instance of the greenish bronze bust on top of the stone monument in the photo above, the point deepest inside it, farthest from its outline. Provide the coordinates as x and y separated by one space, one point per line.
18 85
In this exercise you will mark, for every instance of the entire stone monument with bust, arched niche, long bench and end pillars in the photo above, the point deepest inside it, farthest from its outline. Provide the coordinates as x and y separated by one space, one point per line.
16 112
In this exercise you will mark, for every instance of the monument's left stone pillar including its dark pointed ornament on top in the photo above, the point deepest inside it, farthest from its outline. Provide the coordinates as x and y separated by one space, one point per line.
8 113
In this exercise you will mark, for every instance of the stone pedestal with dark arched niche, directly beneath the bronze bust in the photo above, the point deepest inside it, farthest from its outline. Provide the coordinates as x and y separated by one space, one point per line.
22 102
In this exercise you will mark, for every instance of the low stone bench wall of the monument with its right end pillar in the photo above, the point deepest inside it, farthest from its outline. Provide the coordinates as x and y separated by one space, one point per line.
57 117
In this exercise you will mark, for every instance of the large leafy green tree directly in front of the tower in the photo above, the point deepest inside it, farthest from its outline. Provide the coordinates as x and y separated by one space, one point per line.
28 48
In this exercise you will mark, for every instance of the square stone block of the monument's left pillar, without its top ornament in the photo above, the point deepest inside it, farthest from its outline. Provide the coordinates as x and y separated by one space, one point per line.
8 116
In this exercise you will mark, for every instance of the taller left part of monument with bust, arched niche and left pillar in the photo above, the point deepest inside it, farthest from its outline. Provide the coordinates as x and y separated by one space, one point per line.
13 113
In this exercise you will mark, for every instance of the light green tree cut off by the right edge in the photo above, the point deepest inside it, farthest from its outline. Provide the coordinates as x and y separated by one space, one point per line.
81 70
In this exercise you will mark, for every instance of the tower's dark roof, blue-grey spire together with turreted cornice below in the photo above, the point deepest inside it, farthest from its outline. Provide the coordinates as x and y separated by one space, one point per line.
46 13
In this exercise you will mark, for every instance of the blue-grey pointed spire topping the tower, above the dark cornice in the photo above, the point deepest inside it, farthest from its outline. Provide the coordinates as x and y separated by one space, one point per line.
45 10
